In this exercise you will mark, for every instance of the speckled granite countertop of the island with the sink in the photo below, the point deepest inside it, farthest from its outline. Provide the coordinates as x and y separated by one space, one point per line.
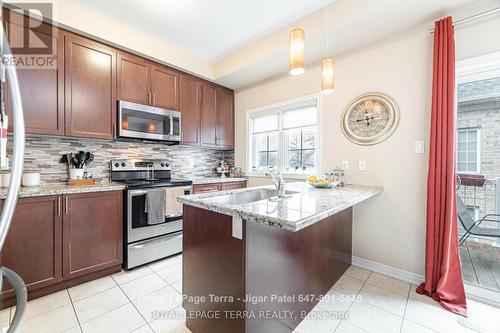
307 206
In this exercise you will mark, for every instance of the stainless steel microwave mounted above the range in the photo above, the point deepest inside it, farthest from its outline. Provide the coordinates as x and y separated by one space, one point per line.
145 122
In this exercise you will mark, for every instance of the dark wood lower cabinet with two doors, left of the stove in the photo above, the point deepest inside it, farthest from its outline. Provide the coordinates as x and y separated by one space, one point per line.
56 242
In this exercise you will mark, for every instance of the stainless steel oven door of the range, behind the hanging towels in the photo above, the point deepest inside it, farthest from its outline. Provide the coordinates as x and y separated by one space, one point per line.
137 226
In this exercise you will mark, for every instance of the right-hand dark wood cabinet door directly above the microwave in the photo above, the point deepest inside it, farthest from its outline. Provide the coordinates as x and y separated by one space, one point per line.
164 87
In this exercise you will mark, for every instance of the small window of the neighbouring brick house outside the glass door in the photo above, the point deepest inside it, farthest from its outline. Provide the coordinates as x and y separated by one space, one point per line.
468 160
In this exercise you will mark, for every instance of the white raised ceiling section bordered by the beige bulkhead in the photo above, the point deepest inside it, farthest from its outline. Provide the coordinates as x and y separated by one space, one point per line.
210 29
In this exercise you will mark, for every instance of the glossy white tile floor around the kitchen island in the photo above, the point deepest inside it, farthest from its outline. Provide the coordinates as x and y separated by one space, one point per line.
361 301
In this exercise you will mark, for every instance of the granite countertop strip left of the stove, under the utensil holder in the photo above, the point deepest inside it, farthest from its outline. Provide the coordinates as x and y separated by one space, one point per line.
56 189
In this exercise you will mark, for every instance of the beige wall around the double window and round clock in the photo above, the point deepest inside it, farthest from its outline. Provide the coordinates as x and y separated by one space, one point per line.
389 229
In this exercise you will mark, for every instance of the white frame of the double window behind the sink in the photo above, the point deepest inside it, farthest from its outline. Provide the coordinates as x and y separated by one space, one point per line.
281 107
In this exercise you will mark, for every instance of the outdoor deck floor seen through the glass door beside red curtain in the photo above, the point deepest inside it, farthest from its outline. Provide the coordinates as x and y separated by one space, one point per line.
481 264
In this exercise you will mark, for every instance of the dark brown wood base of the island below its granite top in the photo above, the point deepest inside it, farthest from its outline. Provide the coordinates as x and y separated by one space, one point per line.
267 261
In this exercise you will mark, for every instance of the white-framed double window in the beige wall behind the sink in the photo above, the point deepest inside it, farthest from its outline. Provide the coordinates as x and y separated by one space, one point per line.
284 138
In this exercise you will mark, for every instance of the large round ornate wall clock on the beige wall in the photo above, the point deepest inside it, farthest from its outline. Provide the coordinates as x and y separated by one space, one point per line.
370 119
